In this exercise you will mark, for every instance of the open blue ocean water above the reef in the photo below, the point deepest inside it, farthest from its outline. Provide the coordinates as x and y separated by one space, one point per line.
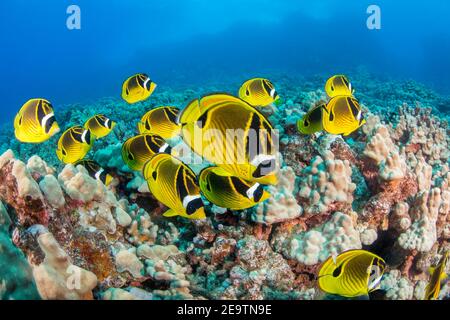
193 41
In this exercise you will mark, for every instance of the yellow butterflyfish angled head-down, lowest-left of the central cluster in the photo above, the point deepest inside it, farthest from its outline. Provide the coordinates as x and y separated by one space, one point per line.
175 185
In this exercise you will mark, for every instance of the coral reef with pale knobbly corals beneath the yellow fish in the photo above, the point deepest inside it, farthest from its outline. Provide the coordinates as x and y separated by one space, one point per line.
385 188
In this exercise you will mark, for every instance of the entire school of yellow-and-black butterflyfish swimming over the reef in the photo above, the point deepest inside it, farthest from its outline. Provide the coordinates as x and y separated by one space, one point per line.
240 171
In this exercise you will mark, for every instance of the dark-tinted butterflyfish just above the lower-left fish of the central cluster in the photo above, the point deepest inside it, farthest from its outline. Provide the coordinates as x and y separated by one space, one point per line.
137 150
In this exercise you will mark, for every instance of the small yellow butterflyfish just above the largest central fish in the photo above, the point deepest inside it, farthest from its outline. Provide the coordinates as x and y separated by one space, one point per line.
258 92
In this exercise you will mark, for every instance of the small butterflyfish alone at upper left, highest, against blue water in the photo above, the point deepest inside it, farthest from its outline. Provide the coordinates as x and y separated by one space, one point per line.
137 88
